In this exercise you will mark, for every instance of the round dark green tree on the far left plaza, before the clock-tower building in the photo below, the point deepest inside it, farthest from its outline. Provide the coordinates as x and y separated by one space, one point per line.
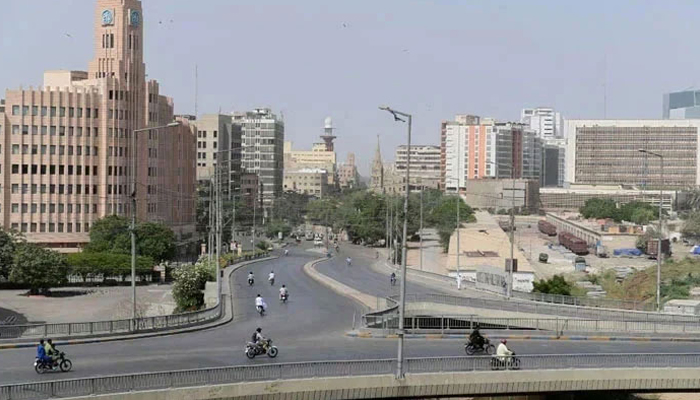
38 268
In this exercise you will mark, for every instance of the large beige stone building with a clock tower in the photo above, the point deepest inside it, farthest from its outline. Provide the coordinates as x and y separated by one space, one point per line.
67 156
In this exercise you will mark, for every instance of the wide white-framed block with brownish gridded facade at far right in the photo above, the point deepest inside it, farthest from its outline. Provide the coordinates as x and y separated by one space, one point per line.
606 152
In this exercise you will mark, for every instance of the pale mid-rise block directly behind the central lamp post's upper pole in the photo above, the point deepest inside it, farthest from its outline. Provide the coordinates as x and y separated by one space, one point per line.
425 165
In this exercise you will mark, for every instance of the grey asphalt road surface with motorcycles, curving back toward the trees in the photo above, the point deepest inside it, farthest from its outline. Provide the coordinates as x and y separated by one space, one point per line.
310 326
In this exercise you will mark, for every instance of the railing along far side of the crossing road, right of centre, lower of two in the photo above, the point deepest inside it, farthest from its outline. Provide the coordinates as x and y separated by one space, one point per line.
561 326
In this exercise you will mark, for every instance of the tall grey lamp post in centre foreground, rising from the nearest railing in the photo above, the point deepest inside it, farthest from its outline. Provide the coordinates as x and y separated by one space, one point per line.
397 117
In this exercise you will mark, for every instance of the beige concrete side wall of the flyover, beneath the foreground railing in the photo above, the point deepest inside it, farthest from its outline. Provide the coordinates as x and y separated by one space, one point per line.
482 383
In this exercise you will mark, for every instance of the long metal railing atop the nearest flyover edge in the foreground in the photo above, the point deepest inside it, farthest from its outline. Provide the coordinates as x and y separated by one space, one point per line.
325 369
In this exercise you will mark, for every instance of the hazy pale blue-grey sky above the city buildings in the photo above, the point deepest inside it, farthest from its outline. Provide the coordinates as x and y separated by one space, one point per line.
316 58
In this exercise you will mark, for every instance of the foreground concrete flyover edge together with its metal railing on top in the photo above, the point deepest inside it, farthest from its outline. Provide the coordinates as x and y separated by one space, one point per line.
367 379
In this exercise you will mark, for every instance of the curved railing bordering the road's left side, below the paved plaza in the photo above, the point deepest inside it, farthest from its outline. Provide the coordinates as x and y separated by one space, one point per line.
121 326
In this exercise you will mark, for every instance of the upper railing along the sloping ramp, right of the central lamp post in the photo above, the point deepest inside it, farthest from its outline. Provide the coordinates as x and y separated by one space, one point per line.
549 309
